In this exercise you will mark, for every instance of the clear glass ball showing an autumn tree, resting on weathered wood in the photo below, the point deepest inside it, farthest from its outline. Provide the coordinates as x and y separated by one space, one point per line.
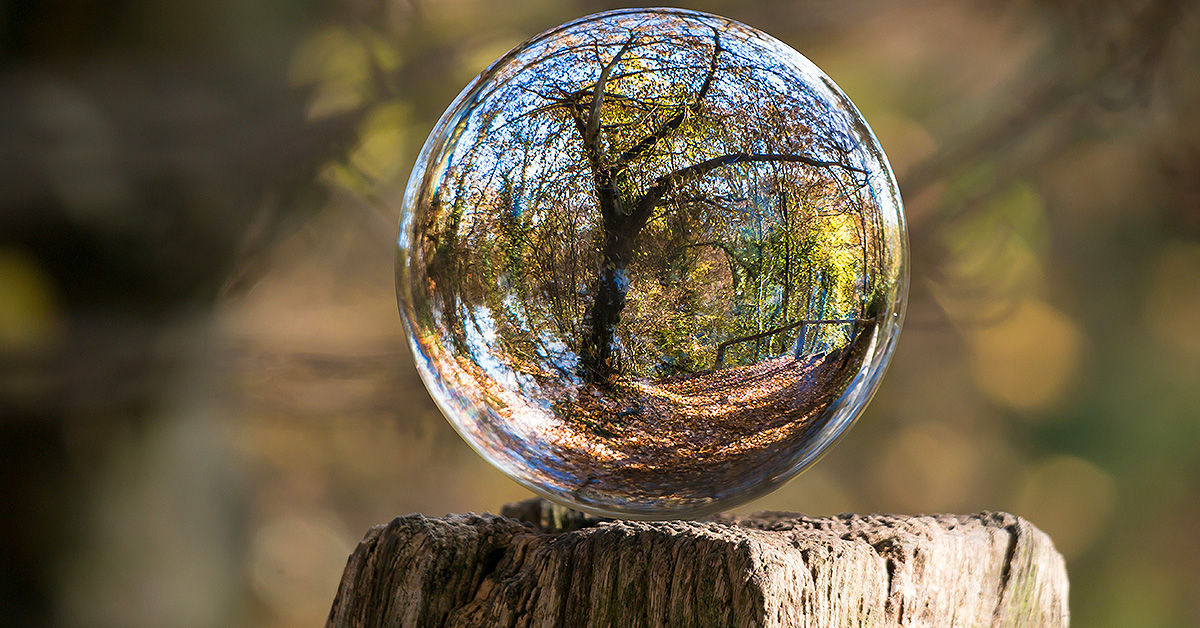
652 264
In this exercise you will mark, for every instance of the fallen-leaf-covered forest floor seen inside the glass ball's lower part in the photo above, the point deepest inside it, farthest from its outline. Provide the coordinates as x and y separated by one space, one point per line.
675 441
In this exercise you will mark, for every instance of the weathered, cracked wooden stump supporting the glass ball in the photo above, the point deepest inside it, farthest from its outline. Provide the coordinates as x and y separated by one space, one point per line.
544 566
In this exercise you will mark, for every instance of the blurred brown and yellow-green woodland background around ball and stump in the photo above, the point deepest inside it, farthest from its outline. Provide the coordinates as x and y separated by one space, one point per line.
206 398
